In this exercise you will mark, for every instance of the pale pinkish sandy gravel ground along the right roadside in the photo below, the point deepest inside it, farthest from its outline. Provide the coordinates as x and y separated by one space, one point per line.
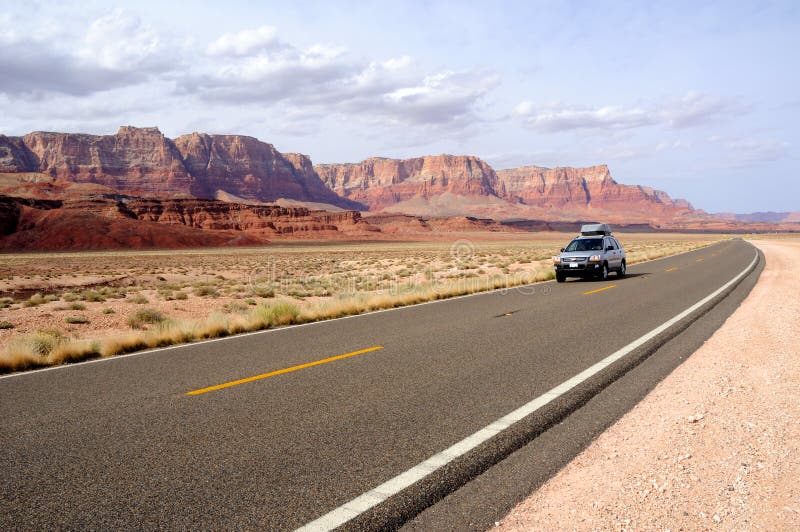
713 446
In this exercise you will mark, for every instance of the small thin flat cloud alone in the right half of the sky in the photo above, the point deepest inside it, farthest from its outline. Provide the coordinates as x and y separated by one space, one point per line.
691 110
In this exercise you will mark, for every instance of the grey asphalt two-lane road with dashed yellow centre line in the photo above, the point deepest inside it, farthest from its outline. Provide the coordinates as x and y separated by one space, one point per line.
121 443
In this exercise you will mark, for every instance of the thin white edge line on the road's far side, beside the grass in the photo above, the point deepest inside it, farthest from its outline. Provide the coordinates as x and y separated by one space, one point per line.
285 327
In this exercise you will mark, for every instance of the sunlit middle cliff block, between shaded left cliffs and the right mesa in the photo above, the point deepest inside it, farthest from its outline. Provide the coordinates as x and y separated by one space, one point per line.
380 183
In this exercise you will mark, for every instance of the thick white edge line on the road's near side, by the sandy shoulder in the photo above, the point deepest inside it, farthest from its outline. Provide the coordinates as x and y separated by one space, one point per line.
355 507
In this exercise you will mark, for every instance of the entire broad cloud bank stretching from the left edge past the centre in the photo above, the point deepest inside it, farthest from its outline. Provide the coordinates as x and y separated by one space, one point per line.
81 70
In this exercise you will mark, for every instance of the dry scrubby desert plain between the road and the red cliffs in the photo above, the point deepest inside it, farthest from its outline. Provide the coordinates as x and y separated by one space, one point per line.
68 306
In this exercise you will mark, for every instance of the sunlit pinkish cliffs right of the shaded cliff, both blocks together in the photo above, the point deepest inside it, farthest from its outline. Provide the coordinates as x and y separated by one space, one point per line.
453 185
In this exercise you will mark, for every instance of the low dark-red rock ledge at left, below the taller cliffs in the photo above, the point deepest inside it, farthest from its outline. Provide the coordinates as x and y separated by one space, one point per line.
27 224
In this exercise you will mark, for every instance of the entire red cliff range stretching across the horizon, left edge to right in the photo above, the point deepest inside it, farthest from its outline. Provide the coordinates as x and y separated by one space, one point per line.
142 162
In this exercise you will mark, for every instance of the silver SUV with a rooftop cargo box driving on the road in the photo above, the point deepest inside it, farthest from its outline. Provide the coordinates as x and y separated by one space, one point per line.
595 254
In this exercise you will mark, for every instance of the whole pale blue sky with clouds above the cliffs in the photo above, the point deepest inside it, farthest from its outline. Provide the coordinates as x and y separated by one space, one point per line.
700 99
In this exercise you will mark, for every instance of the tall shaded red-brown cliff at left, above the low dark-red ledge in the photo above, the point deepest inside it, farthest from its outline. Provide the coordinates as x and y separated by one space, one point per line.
142 161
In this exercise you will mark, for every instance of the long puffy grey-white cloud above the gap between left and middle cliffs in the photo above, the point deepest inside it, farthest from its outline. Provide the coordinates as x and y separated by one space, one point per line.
325 80
